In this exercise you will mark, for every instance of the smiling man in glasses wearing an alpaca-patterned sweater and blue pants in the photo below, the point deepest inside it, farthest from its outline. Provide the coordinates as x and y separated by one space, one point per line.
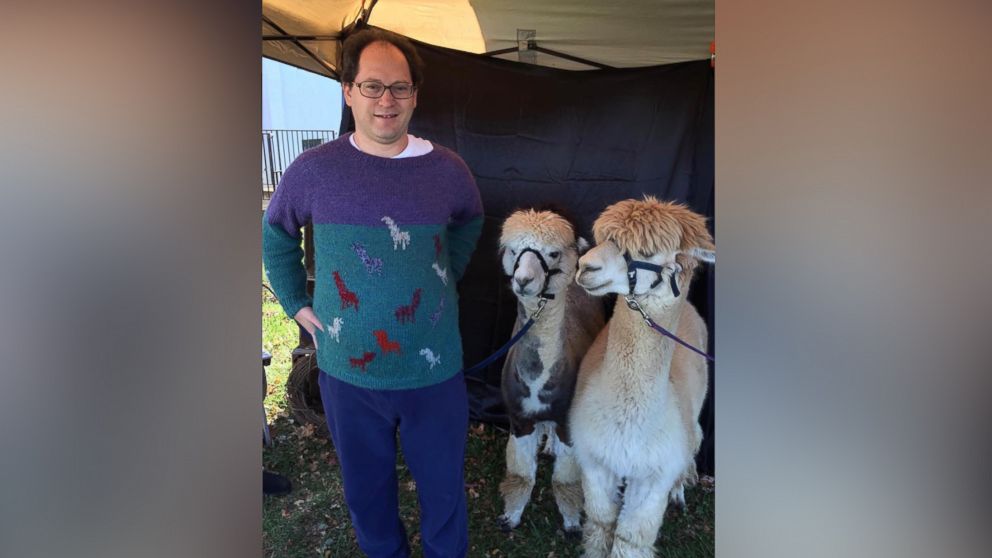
395 220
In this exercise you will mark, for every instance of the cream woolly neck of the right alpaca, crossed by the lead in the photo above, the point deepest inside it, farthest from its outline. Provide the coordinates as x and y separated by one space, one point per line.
640 354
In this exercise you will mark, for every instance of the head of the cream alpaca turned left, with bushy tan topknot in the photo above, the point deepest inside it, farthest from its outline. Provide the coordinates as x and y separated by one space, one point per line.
658 233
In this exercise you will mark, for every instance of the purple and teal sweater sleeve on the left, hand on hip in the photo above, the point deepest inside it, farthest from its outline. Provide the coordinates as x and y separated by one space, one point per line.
282 250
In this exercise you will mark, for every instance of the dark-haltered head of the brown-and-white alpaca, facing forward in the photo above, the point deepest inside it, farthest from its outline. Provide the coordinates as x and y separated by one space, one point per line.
527 233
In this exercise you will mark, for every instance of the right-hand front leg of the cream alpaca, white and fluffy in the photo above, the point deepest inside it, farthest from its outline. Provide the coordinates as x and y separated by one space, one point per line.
644 503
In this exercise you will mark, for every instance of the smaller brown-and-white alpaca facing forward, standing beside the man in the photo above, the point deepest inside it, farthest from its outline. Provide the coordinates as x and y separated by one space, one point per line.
539 251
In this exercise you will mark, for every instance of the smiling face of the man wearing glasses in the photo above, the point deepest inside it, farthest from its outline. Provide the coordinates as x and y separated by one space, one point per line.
383 120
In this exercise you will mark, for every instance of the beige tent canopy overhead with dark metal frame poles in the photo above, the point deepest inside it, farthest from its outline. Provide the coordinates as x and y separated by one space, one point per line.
553 33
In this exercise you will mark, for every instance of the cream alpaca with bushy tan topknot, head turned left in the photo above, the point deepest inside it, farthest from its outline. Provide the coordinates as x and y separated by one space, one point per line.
635 417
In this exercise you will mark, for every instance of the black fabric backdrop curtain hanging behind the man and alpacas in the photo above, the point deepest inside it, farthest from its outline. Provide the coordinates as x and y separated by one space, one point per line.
580 140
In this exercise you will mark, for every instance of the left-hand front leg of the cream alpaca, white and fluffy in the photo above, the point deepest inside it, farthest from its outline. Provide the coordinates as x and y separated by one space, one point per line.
602 503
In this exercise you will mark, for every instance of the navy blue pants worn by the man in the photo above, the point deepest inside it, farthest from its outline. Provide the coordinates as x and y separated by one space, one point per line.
433 426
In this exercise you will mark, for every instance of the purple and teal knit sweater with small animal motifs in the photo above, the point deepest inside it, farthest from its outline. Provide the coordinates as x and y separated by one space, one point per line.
391 239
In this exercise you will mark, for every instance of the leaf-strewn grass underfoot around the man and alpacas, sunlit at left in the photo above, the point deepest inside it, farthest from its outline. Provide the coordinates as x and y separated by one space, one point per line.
313 521
